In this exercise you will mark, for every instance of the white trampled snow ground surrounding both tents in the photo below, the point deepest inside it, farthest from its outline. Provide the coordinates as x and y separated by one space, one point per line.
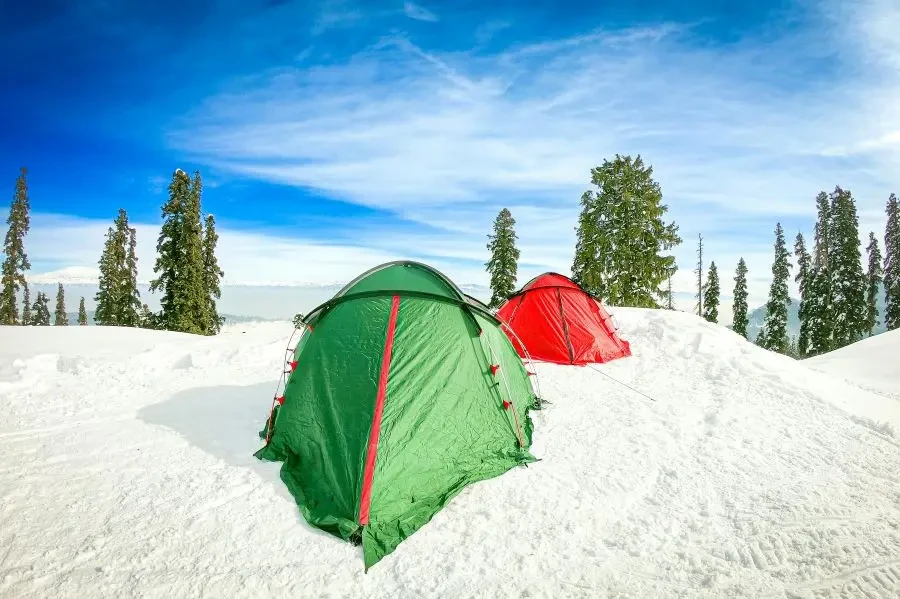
126 470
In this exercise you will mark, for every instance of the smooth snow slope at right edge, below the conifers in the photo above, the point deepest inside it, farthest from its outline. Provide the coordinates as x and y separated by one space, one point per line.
870 363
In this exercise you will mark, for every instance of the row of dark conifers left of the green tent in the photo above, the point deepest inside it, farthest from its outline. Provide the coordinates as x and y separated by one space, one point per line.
187 271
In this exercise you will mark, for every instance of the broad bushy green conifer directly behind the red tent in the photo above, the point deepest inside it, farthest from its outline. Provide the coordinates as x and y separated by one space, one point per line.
621 234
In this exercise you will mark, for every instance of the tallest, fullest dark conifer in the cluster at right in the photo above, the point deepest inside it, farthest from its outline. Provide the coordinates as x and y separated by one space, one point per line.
848 281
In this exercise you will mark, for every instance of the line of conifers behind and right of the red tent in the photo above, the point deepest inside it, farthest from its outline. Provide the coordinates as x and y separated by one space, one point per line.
622 255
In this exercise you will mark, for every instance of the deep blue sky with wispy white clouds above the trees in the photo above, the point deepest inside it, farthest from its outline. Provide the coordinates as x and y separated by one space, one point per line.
335 135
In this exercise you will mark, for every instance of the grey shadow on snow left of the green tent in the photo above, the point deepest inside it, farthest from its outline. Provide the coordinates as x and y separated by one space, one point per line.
222 421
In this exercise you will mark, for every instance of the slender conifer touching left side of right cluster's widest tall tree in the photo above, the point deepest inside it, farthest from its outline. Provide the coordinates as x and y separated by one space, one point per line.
818 309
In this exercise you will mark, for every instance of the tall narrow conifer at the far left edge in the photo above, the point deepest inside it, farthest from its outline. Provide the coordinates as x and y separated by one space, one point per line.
12 272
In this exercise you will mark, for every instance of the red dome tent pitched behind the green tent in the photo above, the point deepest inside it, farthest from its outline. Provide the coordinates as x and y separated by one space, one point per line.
557 321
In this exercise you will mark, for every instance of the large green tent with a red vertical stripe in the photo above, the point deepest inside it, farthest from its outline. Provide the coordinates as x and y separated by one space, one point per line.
401 391
